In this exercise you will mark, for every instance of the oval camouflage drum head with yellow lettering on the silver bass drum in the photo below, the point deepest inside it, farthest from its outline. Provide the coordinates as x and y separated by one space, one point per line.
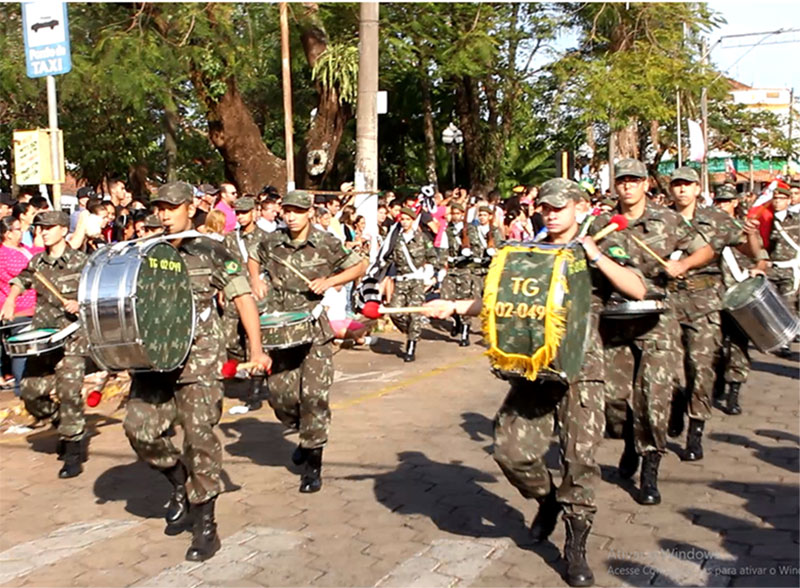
164 306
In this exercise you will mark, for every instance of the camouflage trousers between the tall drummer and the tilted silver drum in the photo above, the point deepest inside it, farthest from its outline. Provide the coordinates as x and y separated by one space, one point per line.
702 340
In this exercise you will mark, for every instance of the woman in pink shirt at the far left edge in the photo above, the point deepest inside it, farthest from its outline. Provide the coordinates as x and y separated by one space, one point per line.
14 258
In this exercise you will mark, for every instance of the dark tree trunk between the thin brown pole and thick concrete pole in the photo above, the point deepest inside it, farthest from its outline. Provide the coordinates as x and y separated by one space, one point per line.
325 133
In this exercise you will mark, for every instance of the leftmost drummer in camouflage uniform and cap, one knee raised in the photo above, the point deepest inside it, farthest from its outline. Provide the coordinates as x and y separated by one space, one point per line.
52 382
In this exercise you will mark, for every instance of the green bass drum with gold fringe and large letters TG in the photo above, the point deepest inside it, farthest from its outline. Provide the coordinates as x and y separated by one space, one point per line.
536 308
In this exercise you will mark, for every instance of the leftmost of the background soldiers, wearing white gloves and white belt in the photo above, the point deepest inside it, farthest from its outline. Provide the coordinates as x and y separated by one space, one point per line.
415 259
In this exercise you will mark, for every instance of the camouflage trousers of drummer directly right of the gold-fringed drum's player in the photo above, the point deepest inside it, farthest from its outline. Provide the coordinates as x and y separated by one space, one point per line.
641 375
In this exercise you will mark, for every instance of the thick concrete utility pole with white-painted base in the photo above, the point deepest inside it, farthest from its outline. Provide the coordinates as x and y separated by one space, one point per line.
366 176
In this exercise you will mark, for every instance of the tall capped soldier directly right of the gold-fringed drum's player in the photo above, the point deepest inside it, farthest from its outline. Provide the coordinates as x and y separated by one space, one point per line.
645 349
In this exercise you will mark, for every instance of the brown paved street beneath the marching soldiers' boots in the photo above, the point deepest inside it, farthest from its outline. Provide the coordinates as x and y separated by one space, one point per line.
411 495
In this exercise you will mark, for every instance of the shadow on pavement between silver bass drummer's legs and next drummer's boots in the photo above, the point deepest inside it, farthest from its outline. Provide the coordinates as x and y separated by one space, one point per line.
261 442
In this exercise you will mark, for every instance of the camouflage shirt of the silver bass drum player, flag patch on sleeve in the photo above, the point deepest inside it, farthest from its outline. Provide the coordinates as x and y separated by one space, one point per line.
211 269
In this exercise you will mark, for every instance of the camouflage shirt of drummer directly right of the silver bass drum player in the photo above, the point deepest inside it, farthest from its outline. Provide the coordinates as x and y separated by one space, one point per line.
319 256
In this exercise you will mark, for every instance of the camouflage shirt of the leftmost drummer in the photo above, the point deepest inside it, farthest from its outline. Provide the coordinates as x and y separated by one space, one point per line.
65 274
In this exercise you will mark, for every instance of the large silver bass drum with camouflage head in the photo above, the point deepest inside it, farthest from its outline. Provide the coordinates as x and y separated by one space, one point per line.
136 303
